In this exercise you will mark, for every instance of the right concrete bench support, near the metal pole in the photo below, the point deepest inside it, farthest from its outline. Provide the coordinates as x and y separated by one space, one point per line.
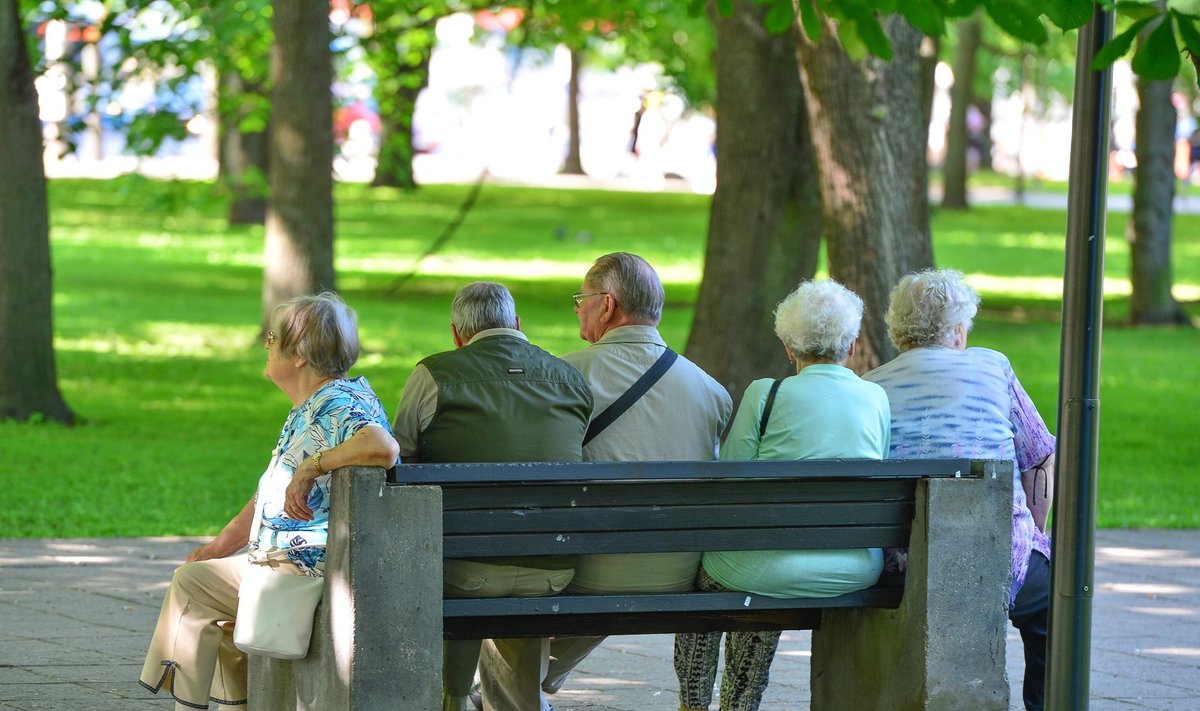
944 649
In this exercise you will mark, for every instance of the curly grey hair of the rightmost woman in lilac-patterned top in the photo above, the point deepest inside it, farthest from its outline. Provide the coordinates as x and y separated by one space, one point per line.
927 307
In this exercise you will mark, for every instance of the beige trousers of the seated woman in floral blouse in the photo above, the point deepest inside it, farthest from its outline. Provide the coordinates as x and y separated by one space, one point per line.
193 653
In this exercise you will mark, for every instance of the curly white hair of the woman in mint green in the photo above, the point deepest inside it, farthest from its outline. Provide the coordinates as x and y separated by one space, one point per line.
820 320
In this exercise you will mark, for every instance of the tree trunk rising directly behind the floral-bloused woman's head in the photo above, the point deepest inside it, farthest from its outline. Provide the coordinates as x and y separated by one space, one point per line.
301 211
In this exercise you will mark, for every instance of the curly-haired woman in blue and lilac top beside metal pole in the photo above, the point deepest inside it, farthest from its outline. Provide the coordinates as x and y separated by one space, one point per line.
952 402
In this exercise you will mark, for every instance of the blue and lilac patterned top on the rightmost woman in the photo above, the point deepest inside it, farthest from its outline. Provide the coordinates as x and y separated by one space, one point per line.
950 404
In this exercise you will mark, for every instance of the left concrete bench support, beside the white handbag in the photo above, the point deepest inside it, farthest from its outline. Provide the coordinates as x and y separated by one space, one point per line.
377 640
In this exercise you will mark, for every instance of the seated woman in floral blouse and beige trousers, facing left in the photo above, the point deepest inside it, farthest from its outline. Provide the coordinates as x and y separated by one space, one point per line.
335 422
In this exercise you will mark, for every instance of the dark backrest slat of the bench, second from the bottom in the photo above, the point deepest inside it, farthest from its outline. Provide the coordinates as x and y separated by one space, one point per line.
677 517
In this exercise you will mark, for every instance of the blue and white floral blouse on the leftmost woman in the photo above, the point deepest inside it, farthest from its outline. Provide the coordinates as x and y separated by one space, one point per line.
329 417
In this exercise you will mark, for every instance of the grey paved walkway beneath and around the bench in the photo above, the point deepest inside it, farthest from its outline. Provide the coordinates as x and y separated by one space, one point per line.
76 617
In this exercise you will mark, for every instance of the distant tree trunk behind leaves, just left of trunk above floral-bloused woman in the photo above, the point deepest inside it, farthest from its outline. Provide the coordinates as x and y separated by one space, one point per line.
243 163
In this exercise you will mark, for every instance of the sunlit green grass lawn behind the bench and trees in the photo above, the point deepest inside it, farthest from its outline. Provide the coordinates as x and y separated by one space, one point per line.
158 306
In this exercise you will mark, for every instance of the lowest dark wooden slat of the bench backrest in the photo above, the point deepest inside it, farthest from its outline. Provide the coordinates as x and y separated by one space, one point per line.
574 543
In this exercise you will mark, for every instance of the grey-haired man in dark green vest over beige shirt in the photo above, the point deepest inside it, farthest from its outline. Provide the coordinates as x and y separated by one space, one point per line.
495 398
